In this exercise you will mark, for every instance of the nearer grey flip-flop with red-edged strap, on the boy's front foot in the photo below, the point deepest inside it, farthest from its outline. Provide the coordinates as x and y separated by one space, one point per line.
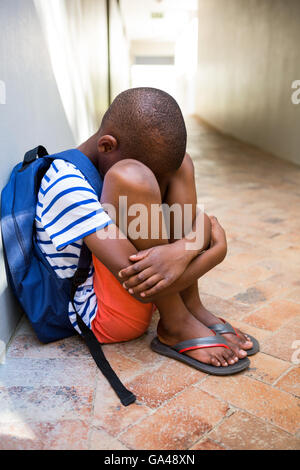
177 352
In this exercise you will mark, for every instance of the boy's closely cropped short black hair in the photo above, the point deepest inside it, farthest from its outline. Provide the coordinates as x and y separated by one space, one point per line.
149 127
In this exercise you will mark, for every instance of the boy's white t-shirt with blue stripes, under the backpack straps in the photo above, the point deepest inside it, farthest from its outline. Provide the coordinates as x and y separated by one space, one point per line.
68 210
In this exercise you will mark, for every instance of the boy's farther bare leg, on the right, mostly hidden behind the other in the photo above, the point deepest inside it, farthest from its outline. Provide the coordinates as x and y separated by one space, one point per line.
182 190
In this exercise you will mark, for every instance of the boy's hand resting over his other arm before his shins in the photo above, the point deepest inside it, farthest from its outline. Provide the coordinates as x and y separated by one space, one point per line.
155 269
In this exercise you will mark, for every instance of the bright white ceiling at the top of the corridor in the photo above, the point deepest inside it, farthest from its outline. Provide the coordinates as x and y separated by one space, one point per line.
173 15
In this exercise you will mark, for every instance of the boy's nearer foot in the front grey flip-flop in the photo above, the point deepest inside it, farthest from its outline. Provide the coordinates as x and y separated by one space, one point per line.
191 328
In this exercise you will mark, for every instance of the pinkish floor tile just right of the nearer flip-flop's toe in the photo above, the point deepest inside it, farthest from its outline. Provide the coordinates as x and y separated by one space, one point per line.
266 368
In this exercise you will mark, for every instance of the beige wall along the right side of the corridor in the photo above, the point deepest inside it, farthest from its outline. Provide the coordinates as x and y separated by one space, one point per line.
249 55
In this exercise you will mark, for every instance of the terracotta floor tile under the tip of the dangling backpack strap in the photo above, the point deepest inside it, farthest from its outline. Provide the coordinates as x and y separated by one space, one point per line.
110 414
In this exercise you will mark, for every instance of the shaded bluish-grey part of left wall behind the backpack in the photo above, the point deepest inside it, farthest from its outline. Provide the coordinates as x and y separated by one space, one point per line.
32 114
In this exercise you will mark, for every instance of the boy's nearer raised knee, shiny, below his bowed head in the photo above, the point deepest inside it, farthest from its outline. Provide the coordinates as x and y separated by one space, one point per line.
132 175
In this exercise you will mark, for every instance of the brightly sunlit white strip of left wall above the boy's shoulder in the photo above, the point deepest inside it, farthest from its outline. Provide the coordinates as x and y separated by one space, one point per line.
76 36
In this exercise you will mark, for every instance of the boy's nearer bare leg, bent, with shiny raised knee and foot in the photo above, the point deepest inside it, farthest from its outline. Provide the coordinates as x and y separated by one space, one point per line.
135 181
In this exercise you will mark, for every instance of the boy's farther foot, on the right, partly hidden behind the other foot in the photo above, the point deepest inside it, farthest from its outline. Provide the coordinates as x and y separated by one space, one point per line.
239 343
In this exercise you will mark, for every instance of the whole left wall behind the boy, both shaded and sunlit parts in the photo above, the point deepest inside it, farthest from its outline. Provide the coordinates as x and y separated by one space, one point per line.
53 66
